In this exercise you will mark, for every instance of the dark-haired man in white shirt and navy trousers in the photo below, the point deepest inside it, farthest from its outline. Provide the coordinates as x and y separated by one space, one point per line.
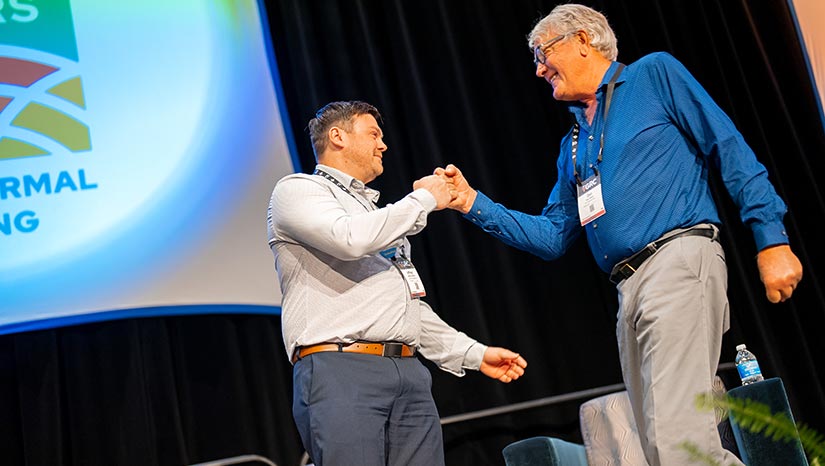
353 318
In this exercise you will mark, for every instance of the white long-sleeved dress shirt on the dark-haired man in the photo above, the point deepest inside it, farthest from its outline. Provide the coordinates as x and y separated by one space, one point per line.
336 285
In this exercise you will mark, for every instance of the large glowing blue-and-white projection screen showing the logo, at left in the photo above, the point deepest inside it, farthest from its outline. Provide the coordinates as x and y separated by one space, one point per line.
139 143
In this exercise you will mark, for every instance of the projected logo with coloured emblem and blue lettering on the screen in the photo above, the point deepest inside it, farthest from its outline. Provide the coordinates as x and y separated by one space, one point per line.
41 104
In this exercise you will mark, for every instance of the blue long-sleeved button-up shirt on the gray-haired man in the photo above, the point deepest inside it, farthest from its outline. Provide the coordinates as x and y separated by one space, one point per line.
663 134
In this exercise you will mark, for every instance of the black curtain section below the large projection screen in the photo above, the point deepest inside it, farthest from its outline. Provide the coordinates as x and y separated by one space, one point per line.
158 391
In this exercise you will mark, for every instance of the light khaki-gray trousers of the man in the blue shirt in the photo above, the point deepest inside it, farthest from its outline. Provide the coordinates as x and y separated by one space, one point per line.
672 314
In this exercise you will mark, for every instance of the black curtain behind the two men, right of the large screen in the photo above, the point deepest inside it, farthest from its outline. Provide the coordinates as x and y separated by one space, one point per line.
455 82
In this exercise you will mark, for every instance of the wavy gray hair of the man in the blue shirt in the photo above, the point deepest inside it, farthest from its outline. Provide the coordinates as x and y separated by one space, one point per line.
565 19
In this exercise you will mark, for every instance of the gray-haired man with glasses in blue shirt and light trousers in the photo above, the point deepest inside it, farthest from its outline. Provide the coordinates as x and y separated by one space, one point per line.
633 176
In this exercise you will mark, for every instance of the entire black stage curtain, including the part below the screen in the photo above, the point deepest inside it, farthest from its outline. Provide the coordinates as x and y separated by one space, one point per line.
455 83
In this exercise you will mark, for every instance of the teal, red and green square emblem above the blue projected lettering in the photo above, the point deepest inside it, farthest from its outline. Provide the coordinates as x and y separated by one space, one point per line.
27 101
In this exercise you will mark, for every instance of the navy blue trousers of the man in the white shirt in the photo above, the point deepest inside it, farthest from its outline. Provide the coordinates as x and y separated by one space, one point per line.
365 410
